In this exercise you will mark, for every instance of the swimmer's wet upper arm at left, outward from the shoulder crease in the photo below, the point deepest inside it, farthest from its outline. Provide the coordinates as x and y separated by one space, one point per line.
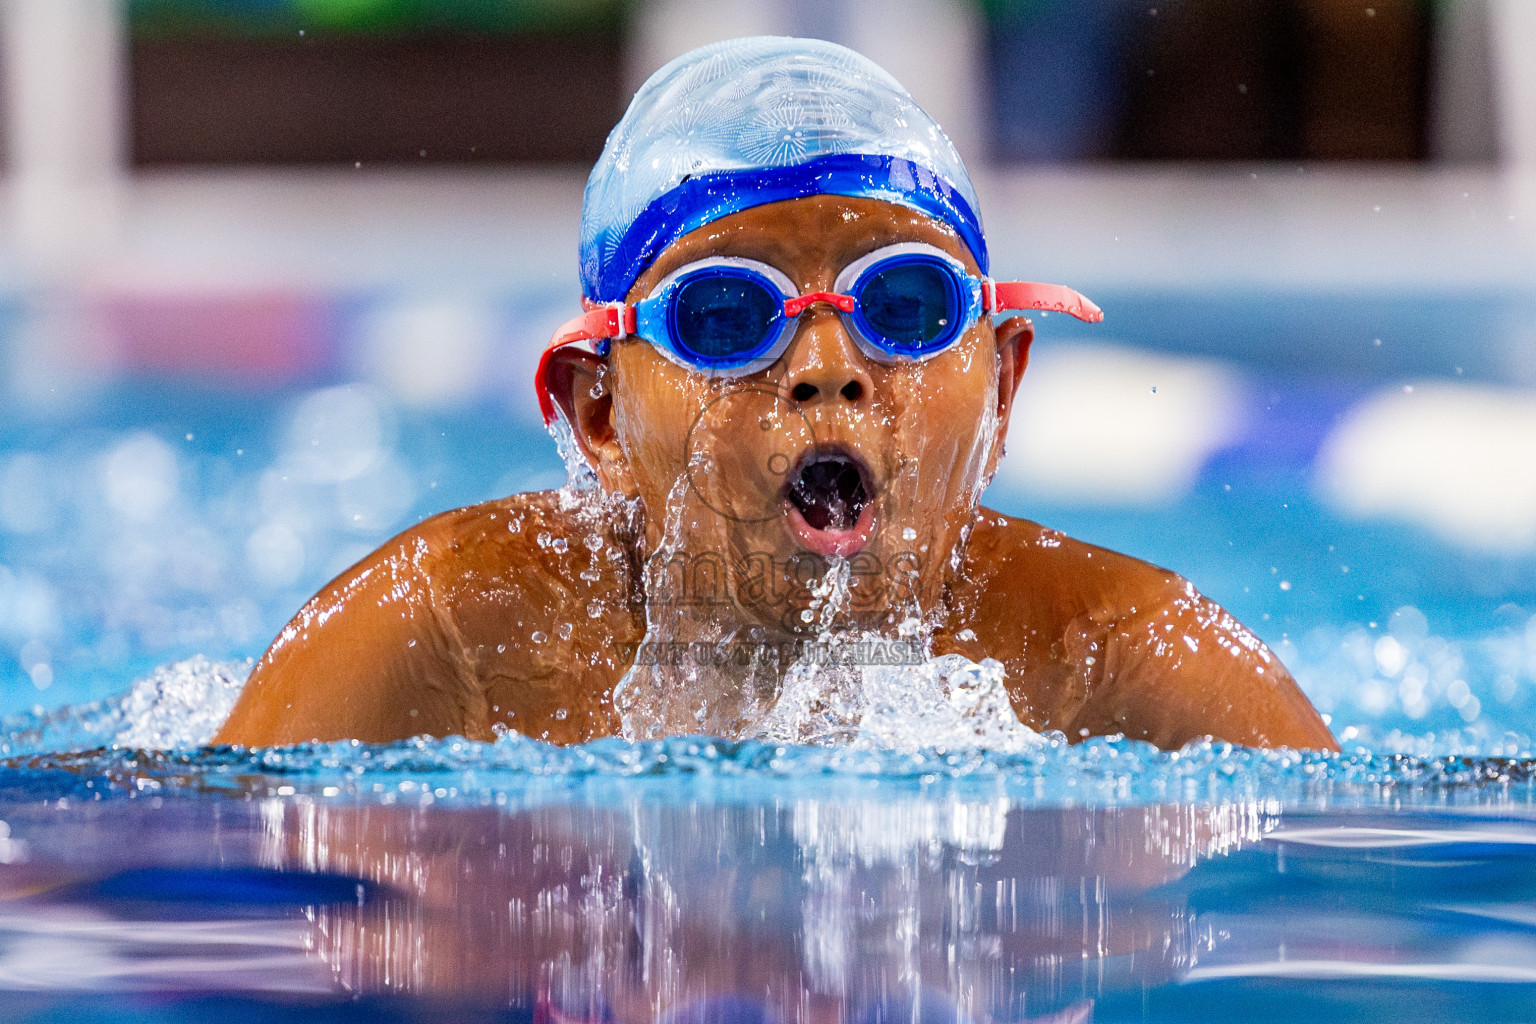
365 659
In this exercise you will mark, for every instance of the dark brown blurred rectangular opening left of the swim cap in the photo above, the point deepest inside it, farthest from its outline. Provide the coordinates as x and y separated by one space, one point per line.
336 82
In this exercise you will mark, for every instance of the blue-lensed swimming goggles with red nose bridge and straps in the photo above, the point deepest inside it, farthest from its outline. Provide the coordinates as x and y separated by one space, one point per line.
733 317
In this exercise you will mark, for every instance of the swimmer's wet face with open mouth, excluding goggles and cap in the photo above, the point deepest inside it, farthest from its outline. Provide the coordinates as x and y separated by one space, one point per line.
829 452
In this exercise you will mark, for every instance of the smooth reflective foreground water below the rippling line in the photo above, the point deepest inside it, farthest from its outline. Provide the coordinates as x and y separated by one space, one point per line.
833 902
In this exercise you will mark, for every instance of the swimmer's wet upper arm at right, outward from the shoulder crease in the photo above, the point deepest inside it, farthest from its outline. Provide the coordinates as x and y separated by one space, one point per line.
1185 670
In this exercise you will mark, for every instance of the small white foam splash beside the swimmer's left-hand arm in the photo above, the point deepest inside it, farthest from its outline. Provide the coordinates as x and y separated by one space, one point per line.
180 705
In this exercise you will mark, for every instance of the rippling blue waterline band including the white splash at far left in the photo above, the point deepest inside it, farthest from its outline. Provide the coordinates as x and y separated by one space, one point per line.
153 742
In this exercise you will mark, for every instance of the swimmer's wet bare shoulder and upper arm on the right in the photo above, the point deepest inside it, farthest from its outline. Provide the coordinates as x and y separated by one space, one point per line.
1101 642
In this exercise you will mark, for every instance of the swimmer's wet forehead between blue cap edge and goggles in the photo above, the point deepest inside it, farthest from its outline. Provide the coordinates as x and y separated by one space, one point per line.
810 239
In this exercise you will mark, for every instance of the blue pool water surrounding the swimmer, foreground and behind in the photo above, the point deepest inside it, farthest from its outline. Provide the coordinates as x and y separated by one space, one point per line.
151 521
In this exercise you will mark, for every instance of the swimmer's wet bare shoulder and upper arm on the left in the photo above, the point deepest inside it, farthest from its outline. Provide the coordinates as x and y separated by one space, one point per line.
446 629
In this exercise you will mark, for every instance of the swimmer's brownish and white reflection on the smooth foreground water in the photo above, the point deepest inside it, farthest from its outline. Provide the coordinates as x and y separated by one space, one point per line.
812 908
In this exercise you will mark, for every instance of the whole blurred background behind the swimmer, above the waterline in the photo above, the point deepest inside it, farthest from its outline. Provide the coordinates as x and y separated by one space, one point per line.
274 276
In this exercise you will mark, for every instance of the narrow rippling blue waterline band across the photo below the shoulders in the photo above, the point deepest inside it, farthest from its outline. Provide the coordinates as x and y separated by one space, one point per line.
520 773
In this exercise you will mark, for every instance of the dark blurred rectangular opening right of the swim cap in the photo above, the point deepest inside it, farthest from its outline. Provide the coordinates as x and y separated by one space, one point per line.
1210 79
